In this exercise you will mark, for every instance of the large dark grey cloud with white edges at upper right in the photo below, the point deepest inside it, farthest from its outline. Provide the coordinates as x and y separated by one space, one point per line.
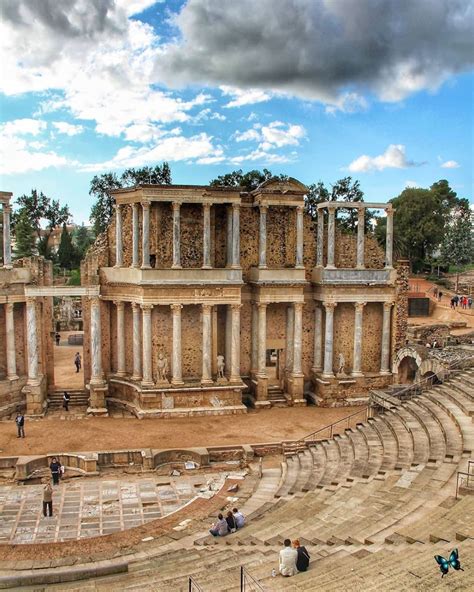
320 50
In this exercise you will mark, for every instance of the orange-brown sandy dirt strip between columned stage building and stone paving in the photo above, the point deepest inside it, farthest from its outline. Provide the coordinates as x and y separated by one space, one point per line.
101 433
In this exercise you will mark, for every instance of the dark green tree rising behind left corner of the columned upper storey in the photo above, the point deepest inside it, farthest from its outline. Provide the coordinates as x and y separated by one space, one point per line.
102 185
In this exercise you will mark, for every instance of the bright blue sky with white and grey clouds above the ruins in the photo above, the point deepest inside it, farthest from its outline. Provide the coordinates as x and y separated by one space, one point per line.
316 89
